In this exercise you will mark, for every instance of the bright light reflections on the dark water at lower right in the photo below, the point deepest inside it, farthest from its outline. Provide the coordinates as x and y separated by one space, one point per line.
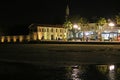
93 72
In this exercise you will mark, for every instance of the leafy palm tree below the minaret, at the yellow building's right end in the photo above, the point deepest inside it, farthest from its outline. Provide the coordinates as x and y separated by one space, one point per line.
79 21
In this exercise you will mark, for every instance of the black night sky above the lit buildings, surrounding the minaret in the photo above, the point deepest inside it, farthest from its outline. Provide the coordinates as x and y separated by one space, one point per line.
17 15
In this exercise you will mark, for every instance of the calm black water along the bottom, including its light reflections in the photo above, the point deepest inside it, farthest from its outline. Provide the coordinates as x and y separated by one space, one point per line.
22 71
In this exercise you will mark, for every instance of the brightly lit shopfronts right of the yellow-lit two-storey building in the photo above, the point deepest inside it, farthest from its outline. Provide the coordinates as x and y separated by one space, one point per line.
94 32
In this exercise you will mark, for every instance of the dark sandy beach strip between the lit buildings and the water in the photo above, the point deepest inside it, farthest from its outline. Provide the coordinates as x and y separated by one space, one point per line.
61 54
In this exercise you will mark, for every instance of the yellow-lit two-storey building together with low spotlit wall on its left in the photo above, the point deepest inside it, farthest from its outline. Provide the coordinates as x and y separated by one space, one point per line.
38 32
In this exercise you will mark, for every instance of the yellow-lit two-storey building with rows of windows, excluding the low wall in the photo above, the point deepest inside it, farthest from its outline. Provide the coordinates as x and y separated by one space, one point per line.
47 32
